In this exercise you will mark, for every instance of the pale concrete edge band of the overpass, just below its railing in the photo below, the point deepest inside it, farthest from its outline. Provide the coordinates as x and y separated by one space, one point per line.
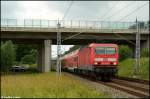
72 30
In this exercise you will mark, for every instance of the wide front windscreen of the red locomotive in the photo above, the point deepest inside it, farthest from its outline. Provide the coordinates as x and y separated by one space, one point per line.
105 50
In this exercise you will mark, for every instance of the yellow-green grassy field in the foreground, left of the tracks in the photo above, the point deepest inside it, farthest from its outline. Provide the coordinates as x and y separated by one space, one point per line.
45 85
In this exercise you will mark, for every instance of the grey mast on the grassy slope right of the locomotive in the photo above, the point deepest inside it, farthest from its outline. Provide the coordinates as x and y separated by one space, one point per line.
137 52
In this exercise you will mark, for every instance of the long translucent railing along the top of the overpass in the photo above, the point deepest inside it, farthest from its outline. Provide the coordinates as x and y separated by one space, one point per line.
69 24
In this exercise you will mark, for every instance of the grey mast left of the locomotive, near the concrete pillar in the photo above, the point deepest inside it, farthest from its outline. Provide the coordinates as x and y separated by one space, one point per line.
58 49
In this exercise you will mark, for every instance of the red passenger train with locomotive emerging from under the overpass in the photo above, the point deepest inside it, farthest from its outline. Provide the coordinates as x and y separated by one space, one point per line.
98 60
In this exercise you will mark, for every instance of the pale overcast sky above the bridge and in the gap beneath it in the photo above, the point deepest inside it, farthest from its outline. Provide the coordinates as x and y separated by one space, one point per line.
79 10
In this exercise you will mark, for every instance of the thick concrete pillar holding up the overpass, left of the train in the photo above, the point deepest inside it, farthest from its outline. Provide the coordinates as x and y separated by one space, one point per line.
44 56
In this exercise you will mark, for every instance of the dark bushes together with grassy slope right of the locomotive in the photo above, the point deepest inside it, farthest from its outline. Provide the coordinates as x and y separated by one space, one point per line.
127 64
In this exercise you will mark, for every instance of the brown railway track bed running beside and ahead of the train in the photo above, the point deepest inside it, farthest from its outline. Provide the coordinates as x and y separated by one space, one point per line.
139 88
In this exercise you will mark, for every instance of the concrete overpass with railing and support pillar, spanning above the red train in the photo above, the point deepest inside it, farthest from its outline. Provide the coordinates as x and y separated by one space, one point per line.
44 33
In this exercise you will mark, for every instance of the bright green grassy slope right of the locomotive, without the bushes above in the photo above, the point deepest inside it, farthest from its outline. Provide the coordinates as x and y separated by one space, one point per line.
126 68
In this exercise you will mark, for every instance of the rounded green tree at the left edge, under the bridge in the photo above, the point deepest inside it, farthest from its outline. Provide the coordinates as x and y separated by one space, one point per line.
8 55
